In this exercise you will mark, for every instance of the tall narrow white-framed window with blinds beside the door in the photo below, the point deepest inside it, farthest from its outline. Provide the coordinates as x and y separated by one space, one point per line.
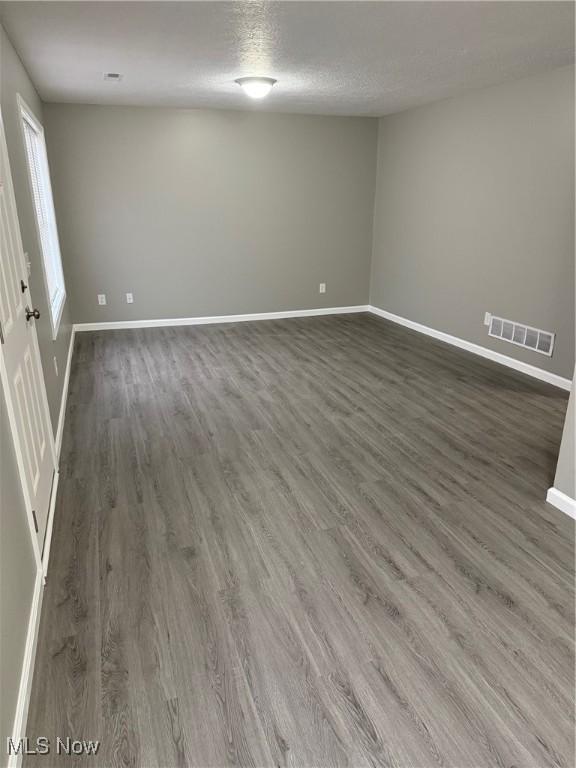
45 214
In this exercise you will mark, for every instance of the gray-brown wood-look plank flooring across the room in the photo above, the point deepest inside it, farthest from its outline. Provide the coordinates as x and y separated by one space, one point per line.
309 542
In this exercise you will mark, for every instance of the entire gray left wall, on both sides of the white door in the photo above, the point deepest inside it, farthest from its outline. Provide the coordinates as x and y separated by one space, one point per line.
17 566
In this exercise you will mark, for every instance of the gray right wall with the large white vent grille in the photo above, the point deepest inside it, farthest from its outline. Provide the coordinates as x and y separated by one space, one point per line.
474 212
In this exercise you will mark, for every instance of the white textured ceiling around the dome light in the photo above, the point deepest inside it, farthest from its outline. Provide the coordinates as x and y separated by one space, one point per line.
345 58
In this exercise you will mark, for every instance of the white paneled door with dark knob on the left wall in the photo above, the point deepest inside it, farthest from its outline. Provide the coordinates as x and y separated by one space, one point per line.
20 365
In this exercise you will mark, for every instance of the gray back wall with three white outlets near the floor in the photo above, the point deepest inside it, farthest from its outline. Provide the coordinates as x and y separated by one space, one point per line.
211 212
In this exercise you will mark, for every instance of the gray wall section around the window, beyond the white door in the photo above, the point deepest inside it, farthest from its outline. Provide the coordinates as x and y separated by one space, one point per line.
14 80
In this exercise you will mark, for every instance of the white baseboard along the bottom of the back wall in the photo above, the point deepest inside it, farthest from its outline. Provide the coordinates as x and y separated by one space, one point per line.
115 325
